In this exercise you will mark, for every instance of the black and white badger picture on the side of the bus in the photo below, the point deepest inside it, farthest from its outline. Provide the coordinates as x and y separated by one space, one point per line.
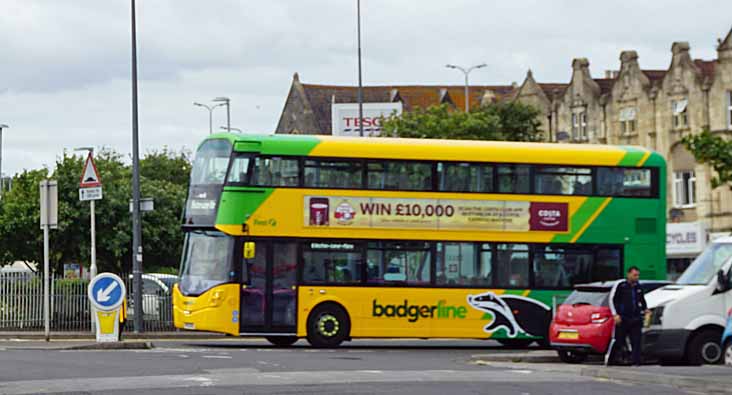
515 314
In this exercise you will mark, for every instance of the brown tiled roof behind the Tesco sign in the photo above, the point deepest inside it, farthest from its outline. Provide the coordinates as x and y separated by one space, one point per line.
320 97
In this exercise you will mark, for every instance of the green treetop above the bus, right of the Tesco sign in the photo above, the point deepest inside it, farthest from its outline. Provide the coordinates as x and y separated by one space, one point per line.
509 121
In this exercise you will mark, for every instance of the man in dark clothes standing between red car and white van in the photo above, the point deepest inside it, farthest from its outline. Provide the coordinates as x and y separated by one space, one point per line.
629 307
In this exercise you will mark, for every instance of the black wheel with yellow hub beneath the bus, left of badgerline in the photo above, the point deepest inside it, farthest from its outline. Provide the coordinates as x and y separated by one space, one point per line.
328 326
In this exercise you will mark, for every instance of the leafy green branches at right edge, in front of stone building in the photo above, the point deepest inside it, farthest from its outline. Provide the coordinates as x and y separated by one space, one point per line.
714 150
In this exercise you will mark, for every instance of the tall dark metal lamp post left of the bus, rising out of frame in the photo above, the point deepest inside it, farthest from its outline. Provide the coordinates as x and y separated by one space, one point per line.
136 226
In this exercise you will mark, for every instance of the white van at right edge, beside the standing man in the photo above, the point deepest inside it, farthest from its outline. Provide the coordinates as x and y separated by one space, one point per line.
688 317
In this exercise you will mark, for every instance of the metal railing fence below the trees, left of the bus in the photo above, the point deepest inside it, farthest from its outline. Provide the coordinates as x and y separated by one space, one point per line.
21 304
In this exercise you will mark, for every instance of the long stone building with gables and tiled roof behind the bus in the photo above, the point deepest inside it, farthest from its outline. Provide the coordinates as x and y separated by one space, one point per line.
630 106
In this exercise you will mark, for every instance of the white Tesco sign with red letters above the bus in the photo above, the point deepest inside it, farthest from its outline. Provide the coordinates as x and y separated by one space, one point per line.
345 121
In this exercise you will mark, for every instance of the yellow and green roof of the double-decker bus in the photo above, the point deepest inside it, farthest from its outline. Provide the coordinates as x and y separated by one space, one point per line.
448 150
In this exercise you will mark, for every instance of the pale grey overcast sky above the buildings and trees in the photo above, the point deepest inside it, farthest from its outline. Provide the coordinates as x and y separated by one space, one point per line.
65 64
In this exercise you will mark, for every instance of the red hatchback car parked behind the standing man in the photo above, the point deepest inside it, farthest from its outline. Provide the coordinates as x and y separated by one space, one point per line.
583 323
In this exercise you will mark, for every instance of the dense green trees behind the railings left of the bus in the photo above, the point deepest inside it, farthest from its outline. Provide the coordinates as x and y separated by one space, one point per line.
164 176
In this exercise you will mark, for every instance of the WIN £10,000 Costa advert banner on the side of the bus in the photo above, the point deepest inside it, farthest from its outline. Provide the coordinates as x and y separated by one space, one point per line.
463 214
